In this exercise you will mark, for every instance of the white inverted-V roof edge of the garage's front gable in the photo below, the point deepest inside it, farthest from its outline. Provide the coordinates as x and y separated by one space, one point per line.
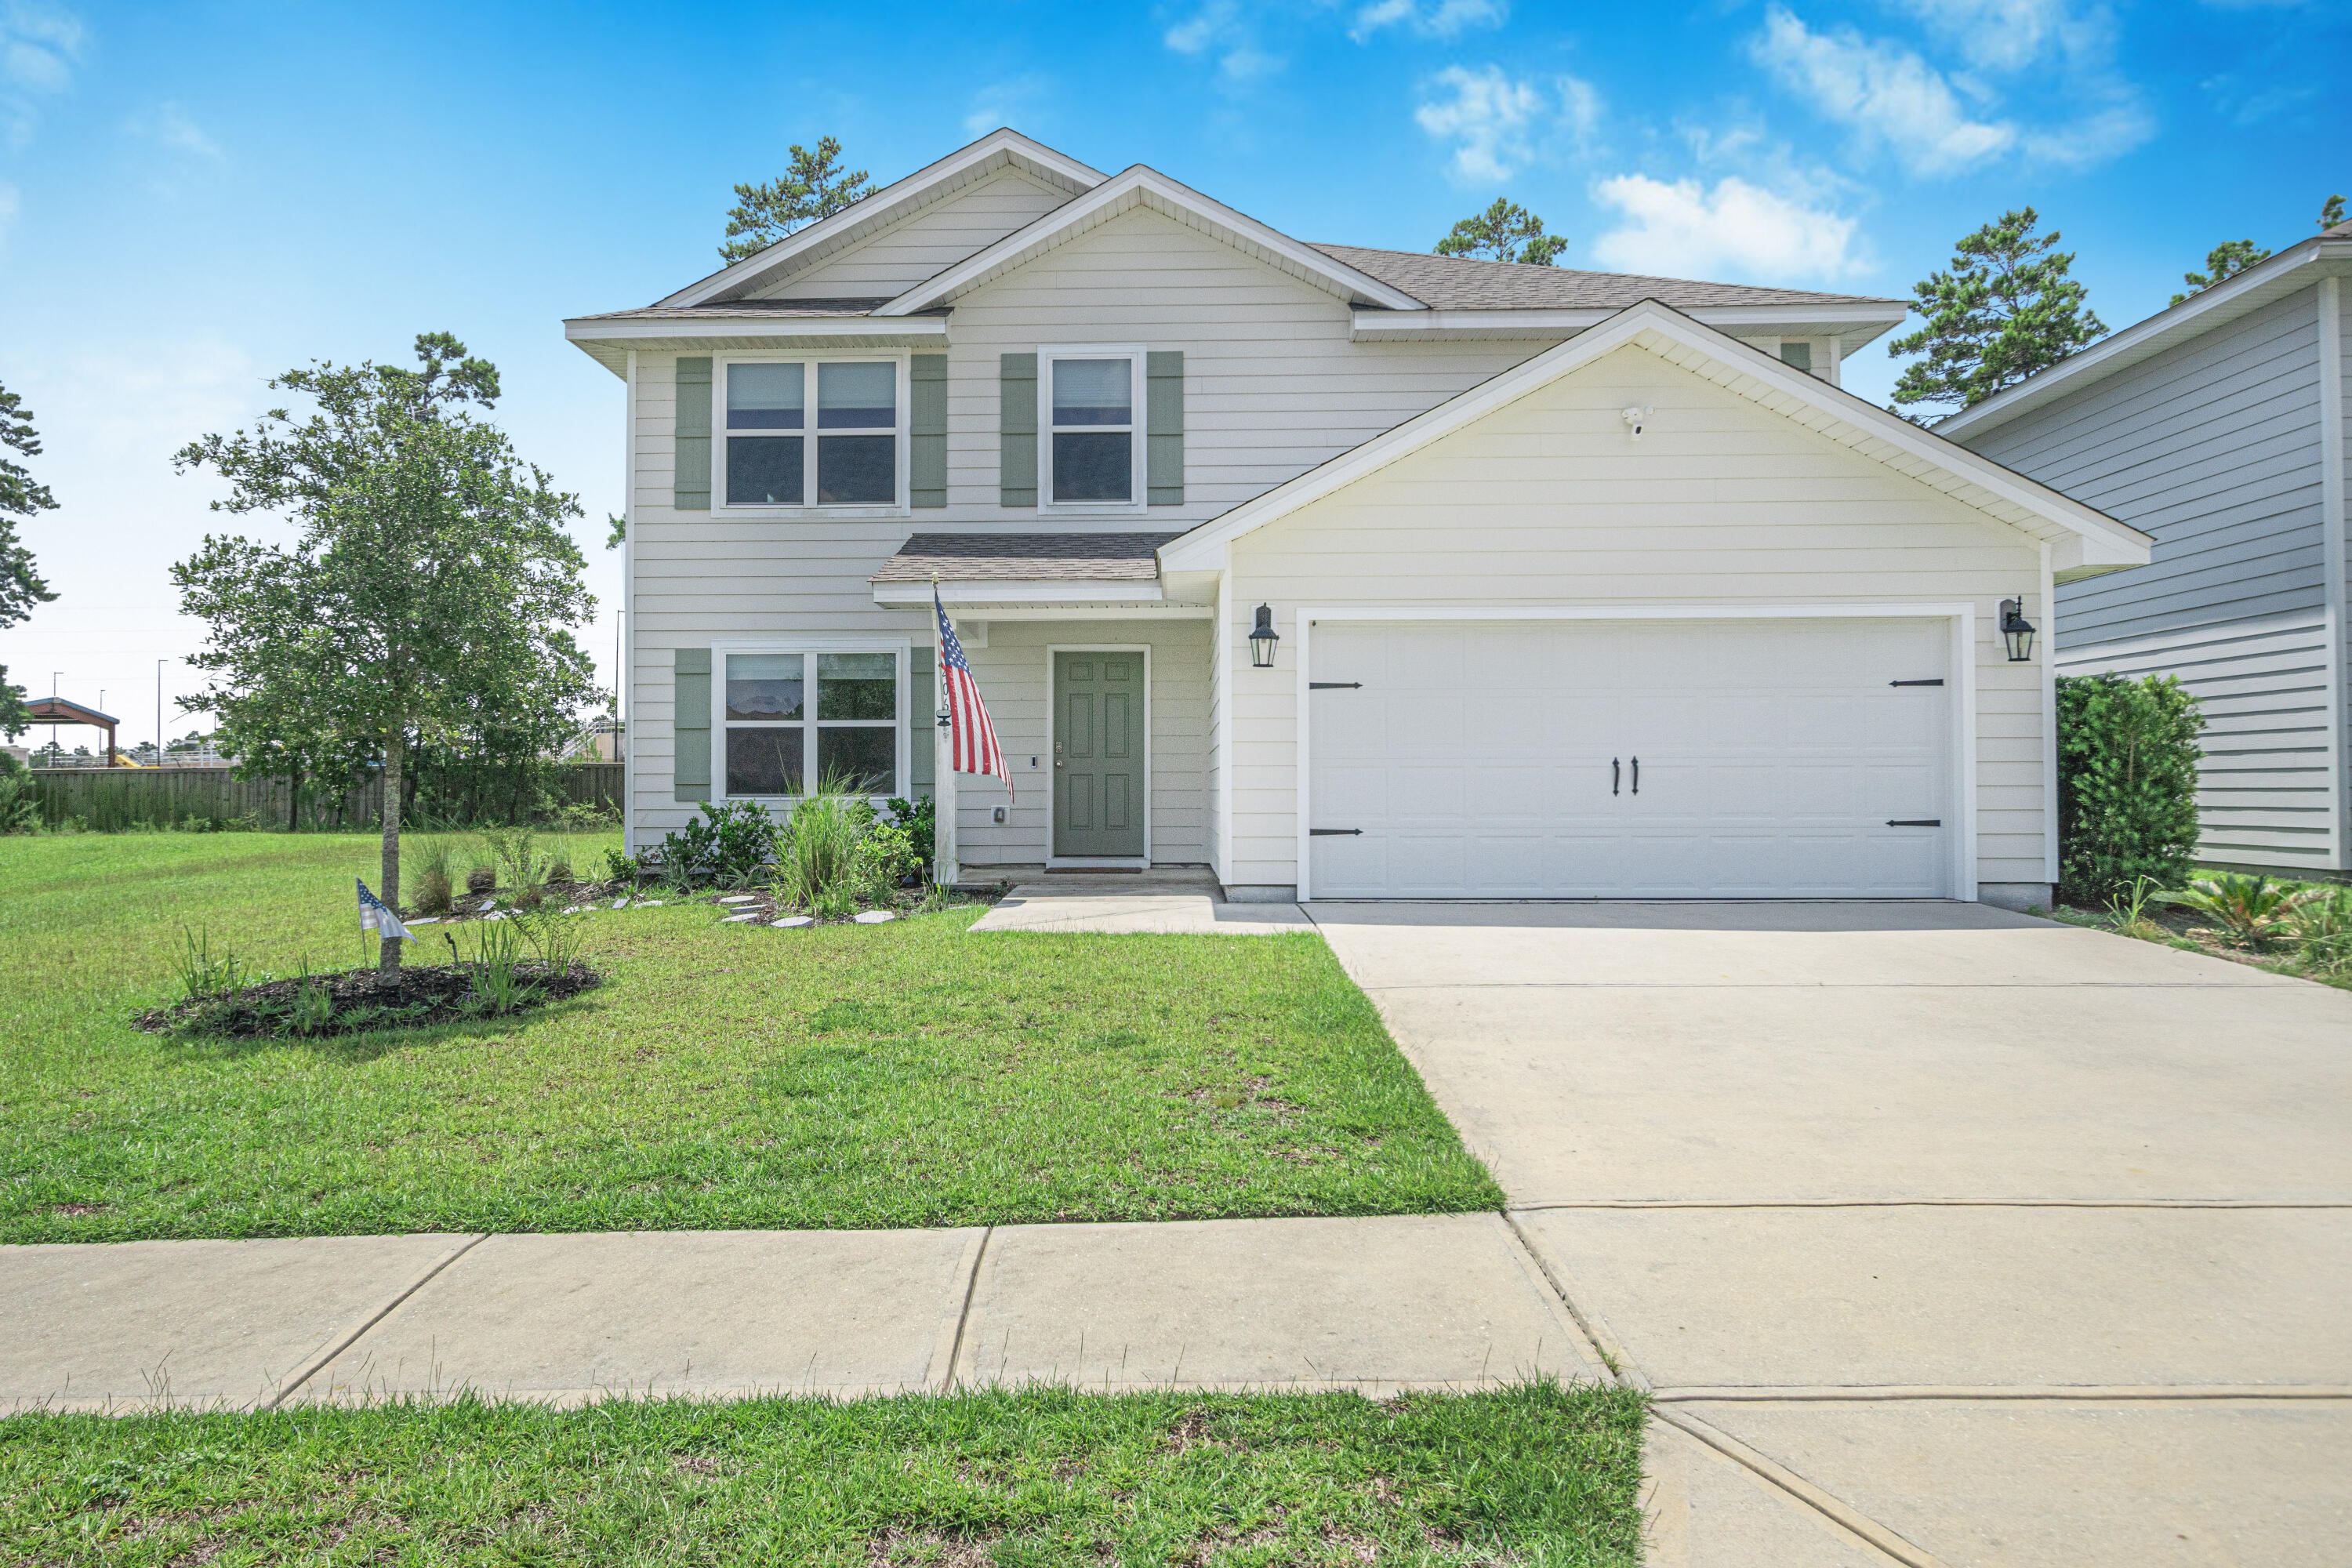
2087 542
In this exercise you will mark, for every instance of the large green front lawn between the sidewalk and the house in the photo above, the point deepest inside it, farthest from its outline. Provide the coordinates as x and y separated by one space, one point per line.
723 1078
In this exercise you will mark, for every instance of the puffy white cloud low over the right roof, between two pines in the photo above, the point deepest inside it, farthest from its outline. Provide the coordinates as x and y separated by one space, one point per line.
1732 232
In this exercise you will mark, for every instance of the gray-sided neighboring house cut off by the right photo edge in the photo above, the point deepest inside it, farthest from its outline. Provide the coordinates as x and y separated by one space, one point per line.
2219 429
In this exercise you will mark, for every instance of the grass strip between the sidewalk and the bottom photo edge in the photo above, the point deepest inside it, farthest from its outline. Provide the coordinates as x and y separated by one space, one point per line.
1532 1475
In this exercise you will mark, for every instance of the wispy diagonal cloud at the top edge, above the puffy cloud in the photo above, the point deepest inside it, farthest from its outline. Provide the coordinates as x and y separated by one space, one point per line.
1887 95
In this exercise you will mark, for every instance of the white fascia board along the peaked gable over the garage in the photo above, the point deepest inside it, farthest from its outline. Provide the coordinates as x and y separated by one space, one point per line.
2104 540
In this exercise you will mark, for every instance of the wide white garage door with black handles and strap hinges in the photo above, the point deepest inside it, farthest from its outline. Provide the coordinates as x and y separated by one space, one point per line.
1631 760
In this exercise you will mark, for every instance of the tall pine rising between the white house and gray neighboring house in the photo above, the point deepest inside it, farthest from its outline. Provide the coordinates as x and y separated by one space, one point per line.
2005 311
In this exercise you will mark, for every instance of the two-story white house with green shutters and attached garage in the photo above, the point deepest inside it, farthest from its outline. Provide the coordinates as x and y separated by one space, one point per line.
1342 572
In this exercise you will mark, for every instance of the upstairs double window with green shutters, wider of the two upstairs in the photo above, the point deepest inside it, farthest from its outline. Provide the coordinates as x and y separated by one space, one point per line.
848 455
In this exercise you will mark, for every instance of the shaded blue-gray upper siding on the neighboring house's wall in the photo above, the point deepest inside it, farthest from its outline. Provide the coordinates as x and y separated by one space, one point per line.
2214 450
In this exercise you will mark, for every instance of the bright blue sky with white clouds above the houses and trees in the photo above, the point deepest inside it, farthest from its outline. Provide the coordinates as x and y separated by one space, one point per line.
196 196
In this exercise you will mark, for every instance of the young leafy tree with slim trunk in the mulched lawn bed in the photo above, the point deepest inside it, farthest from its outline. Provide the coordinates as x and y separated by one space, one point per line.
432 565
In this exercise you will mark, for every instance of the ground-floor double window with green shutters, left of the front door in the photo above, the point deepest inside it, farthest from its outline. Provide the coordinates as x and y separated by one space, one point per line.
813 721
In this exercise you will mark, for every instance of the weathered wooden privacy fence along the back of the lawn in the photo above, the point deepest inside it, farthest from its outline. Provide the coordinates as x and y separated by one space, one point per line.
126 798
